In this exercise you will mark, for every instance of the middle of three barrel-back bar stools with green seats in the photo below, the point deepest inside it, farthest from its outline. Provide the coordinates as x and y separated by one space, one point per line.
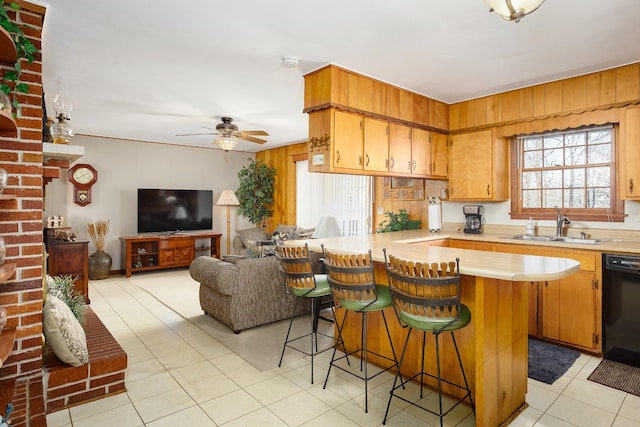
353 285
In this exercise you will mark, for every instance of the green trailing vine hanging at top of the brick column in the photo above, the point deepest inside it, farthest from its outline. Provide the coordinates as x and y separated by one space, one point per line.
10 83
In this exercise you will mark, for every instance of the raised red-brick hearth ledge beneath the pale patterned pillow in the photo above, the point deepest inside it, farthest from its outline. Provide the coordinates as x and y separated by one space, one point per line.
66 386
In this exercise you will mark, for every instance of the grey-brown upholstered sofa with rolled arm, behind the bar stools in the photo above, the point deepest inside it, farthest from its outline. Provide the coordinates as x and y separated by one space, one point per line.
246 293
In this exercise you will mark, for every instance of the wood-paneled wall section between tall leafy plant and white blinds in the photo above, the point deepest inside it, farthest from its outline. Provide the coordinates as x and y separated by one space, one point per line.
283 159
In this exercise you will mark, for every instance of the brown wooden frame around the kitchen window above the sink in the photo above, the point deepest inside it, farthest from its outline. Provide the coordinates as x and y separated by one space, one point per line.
613 214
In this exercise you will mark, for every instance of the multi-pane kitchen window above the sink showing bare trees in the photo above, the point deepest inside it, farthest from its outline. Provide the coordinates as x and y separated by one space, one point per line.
573 170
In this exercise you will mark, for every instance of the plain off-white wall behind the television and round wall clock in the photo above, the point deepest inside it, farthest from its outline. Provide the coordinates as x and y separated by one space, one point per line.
124 166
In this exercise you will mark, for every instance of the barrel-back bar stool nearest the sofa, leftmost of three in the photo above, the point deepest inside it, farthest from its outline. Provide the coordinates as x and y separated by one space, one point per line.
297 269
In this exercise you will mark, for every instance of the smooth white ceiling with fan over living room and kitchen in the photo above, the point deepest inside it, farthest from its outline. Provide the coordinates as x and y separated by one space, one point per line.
150 69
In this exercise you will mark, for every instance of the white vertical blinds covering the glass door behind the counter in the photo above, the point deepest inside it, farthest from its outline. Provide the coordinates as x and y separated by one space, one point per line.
345 197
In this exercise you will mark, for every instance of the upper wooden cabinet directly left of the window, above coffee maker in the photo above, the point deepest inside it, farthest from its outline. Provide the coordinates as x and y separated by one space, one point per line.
478 167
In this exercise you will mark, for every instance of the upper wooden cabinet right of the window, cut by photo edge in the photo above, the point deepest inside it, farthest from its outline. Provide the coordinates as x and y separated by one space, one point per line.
630 173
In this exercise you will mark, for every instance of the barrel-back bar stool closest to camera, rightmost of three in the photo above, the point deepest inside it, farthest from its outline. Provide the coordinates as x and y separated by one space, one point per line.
426 297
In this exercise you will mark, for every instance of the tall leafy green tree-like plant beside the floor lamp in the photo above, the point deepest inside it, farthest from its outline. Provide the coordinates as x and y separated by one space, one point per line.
255 194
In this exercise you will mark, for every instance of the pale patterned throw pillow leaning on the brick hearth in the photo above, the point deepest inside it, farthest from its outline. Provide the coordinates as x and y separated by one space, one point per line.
63 333
